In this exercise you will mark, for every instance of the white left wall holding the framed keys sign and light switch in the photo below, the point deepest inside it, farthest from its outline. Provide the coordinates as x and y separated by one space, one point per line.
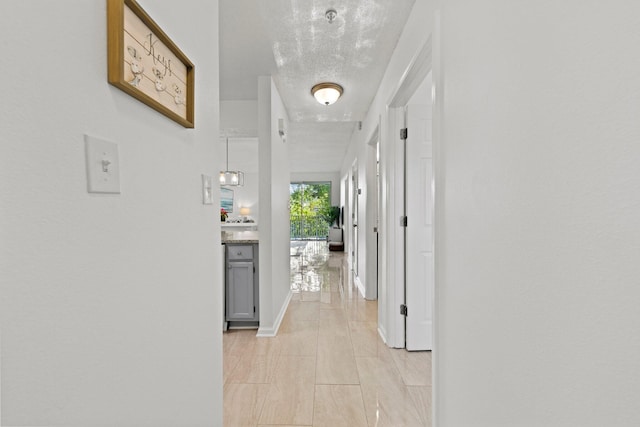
109 308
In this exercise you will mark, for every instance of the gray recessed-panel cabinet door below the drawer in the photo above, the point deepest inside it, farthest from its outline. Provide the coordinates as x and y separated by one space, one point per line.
240 291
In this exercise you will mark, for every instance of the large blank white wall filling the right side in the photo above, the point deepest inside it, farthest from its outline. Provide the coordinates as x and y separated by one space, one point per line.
538 209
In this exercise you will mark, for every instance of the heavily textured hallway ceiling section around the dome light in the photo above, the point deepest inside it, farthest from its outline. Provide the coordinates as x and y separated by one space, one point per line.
352 51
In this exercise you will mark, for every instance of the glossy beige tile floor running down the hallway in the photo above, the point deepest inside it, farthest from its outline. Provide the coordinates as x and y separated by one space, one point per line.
327 366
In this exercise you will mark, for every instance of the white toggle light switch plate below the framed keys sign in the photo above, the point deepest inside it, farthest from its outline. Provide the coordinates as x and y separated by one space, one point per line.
103 165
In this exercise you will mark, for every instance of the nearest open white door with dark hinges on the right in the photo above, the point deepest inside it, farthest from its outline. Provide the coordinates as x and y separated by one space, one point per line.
419 231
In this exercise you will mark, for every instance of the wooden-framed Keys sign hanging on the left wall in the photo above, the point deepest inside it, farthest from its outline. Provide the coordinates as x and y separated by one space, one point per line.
146 64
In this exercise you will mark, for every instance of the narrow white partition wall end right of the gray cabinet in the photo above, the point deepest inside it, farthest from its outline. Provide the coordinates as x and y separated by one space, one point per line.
274 209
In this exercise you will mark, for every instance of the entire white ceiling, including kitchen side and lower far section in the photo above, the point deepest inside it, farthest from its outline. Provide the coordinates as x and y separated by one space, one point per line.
292 41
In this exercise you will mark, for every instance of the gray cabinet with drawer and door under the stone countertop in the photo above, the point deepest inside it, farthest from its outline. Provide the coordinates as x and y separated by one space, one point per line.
242 283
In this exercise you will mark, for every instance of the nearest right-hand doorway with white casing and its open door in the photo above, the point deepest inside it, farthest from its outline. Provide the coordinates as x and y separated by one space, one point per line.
411 273
